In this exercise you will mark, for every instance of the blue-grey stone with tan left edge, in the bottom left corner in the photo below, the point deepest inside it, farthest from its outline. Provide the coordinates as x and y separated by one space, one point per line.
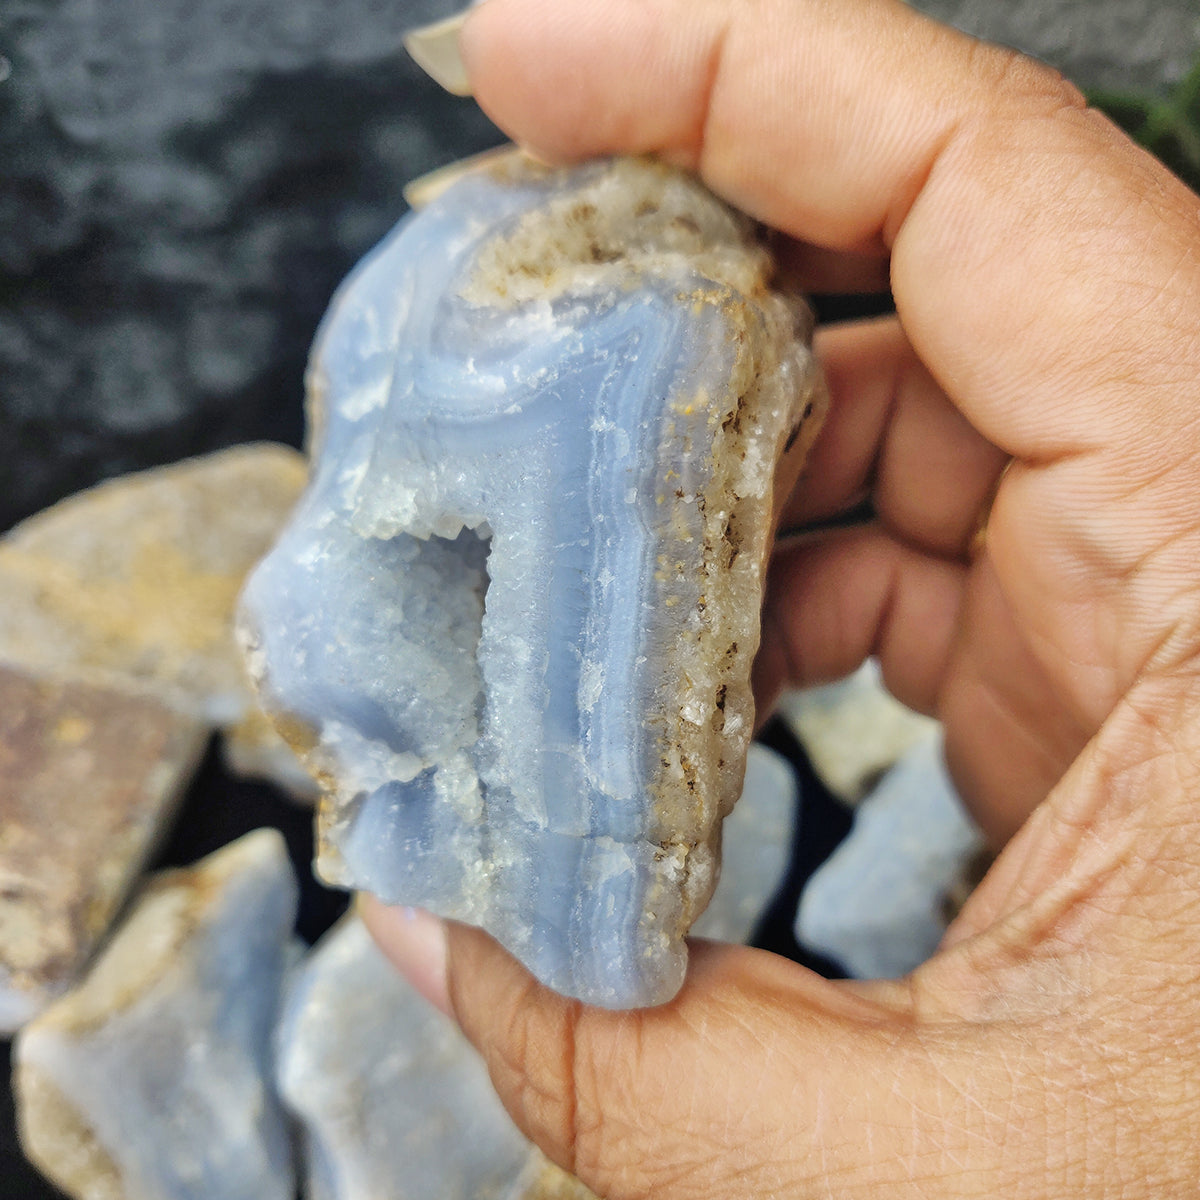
153 1079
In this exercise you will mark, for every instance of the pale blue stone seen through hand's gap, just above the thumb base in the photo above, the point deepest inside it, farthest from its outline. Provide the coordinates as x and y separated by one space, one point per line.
878 905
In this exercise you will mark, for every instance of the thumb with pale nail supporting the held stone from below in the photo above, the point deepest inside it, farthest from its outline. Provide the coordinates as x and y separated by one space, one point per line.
759 1079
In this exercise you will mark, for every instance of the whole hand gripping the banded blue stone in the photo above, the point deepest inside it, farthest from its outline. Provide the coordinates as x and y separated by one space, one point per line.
1045 362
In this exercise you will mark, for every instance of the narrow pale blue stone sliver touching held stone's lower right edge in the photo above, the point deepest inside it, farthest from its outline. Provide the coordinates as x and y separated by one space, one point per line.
757 849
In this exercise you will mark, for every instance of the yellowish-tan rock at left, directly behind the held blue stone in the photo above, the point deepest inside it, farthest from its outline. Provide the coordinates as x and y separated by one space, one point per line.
133 585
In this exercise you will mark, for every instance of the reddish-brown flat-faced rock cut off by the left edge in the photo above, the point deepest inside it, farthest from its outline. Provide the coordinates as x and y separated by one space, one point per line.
89 779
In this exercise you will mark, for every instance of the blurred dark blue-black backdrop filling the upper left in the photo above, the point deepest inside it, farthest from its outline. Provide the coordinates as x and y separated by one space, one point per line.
184 184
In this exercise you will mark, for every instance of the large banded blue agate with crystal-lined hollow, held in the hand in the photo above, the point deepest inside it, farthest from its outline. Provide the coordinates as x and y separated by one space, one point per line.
512 623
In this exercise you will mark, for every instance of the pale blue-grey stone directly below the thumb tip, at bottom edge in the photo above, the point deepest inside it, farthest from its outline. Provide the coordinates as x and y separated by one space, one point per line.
394 1101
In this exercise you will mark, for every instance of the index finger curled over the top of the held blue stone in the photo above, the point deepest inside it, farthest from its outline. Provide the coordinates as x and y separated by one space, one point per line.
1036 253
